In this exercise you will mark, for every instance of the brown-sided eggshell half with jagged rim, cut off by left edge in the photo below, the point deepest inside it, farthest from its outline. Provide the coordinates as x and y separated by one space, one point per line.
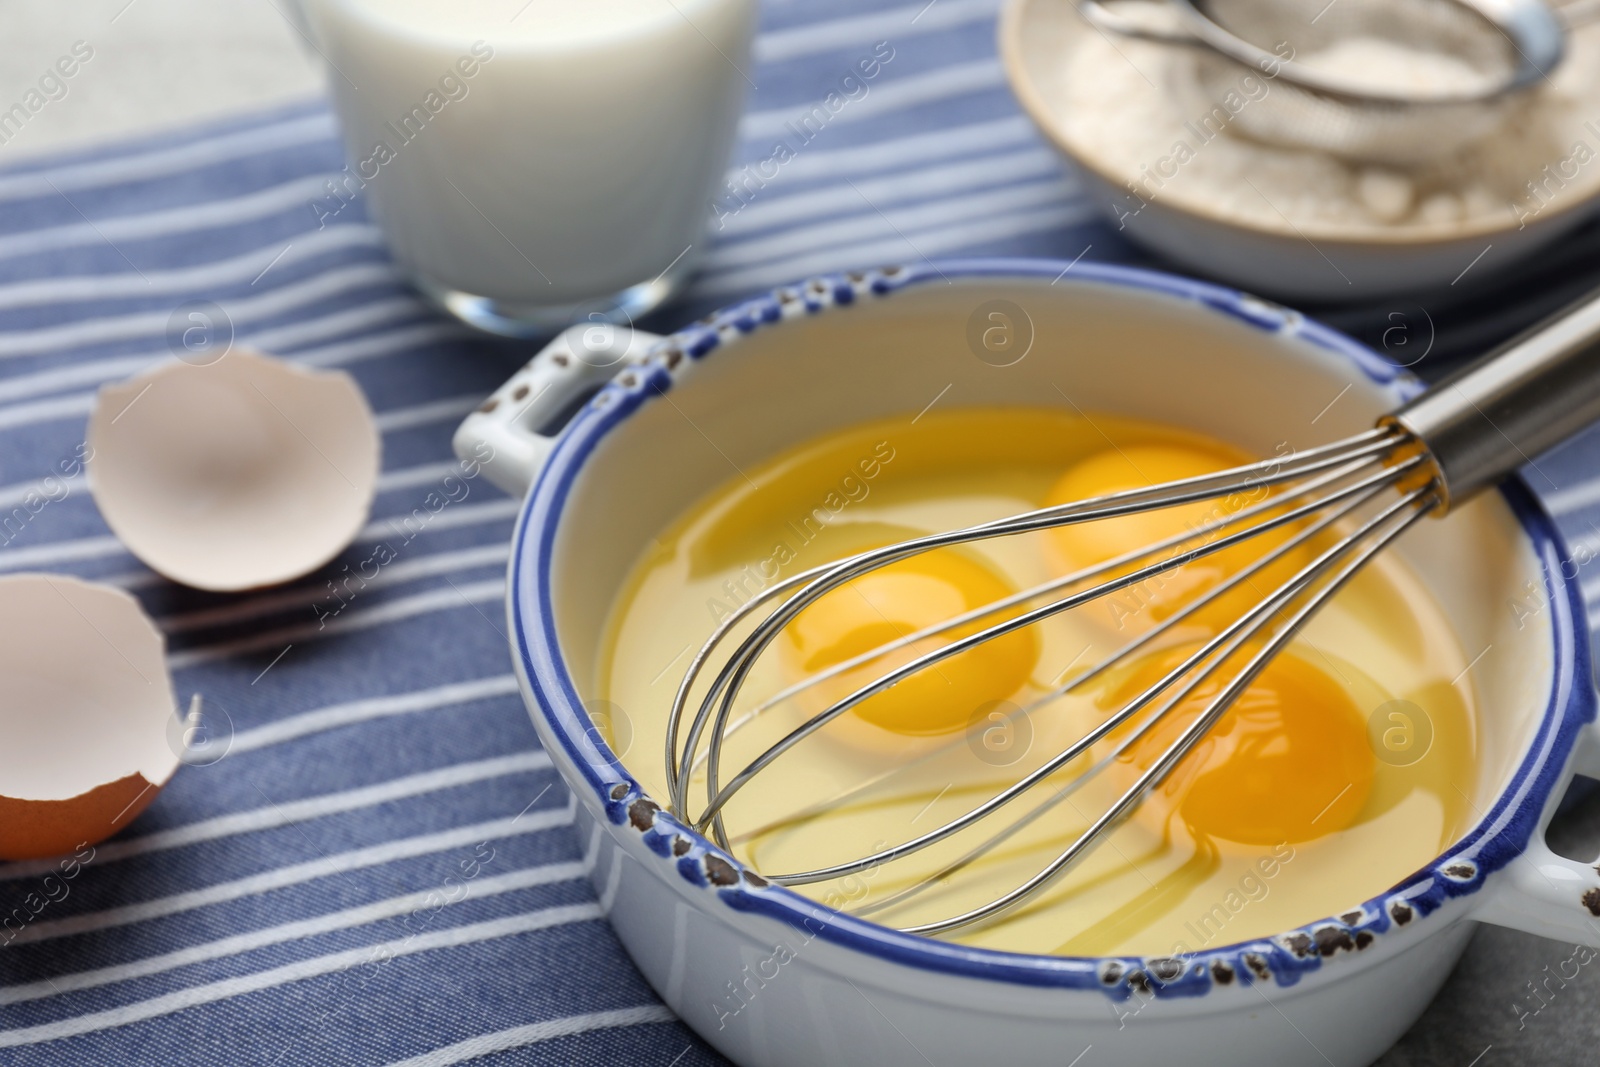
87 714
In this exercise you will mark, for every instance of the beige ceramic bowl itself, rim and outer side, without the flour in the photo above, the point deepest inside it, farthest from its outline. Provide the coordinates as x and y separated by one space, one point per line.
1294 260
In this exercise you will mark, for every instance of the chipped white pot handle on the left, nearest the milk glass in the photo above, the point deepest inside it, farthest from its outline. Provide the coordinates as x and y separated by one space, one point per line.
506 434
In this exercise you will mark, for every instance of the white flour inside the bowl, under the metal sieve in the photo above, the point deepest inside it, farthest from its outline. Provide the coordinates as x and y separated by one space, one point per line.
1124 111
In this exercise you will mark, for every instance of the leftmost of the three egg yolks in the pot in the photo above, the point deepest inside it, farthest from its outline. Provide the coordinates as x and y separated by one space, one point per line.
895 602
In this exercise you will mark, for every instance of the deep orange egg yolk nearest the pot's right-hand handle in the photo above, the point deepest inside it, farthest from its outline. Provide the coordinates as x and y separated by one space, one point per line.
1289 762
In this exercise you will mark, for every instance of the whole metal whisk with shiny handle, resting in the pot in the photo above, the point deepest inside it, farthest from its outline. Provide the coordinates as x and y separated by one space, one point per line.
1354 497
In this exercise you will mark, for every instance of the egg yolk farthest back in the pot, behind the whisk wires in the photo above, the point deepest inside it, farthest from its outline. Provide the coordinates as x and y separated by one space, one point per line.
1158 597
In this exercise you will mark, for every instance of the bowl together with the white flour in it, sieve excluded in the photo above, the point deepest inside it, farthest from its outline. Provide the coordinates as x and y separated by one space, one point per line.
1174 164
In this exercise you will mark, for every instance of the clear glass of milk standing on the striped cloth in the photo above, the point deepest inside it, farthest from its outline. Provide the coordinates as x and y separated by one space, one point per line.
537 162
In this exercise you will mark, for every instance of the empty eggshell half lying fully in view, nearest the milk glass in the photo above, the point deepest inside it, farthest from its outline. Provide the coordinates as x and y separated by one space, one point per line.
236 474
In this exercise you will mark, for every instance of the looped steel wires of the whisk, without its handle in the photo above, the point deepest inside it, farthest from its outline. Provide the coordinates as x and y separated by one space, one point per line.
1311 497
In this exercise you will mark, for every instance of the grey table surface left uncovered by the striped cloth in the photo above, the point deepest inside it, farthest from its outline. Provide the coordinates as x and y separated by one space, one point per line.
169 63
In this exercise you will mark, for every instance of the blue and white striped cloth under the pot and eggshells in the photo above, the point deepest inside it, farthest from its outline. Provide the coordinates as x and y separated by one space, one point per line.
380 871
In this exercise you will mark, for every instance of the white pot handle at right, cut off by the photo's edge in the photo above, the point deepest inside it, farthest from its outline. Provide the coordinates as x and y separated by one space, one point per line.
1548 895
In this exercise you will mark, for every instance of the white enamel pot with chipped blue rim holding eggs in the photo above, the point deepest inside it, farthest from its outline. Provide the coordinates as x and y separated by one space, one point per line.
775 980
